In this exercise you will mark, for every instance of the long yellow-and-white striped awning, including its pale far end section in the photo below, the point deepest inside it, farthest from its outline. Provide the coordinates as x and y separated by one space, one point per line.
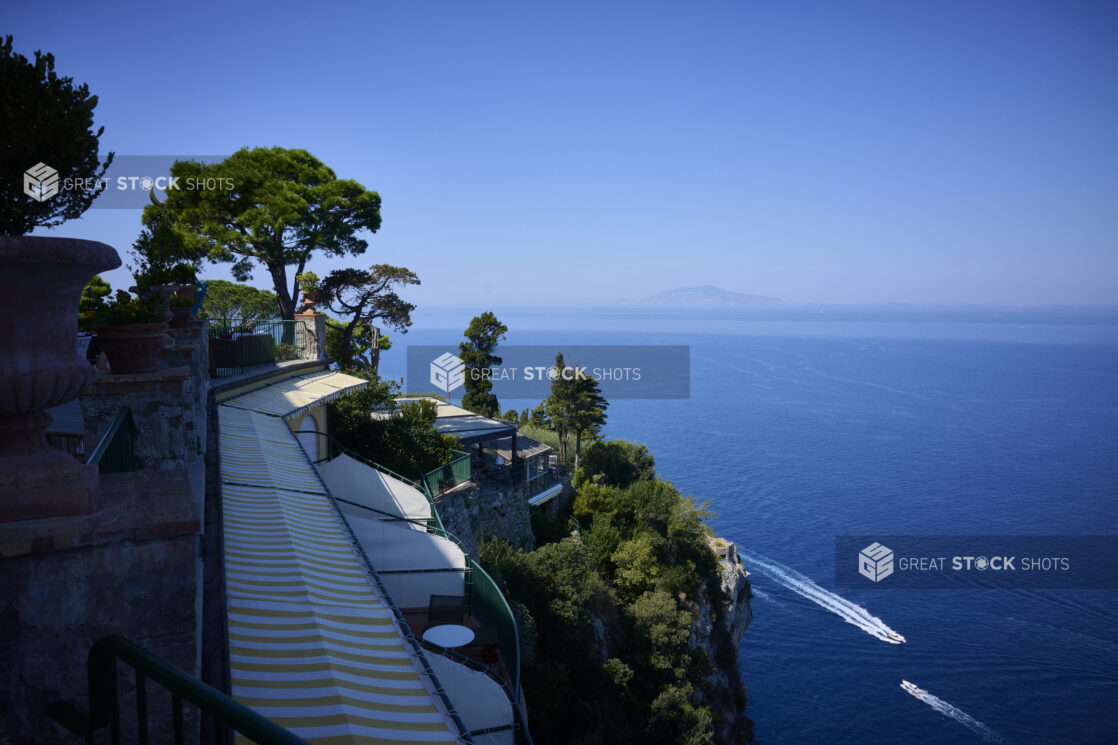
312 646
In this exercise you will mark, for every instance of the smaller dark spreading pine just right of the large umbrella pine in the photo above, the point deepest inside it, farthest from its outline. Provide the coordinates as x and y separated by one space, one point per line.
365 298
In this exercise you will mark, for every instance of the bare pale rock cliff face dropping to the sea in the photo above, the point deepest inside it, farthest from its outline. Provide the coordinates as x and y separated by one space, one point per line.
721 638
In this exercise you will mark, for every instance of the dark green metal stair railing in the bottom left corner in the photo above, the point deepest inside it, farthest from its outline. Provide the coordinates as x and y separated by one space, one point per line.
226 713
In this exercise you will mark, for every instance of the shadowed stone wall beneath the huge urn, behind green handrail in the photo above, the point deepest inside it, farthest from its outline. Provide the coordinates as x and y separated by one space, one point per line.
131 569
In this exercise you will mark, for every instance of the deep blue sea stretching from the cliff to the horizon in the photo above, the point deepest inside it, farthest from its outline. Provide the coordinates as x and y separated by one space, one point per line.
804 425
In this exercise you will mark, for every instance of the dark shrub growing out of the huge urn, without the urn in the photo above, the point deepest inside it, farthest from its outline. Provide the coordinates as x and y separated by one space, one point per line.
45 119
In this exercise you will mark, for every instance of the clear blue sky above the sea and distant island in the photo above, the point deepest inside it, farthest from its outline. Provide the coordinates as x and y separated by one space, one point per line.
580 153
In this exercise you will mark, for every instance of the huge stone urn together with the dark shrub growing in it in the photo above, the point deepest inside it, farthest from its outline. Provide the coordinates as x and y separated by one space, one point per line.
44 278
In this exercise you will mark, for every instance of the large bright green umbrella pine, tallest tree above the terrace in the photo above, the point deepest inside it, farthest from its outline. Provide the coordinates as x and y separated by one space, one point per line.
274 208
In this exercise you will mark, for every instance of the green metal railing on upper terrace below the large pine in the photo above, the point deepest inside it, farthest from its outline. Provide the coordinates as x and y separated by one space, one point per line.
236 345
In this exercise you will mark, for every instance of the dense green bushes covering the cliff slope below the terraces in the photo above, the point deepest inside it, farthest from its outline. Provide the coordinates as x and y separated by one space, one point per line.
607 614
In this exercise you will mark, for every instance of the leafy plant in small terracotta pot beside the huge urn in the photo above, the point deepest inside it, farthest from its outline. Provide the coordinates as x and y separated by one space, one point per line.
132 331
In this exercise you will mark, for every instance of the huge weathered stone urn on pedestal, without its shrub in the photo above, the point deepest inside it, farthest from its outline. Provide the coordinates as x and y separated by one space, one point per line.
41 369
